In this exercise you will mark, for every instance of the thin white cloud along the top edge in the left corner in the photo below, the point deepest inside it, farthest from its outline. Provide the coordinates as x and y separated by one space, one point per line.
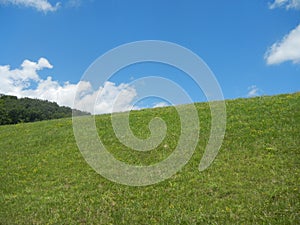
40 5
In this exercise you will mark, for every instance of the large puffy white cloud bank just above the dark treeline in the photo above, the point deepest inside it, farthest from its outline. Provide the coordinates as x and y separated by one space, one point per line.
19 82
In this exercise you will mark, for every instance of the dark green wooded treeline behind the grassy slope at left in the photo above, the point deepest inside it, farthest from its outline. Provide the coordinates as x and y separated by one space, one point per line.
15 110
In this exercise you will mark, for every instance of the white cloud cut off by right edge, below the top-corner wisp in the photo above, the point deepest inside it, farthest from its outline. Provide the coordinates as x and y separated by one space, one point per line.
288 49
